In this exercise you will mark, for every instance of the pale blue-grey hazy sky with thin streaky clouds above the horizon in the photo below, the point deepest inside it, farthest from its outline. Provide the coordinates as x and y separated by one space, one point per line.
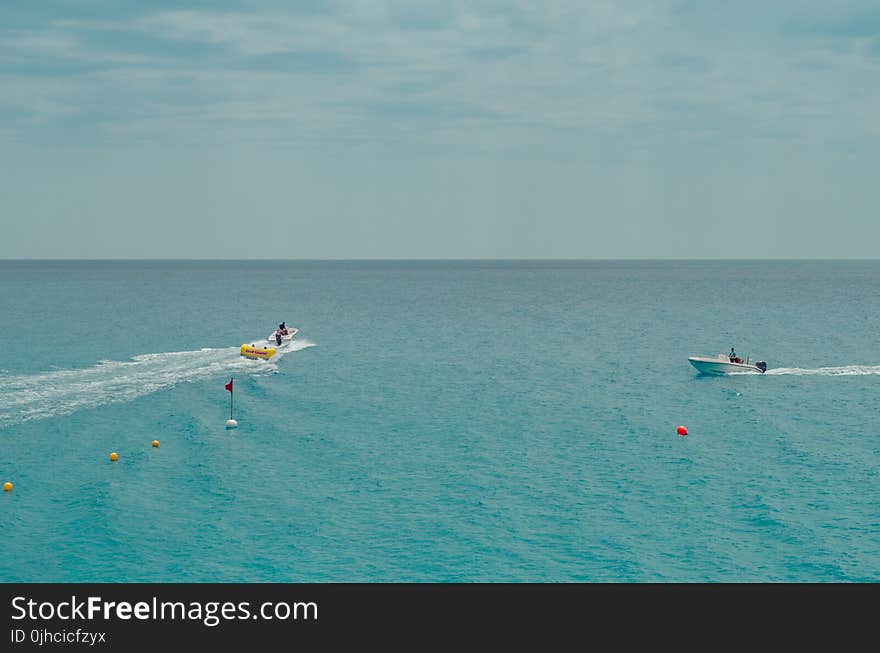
406 130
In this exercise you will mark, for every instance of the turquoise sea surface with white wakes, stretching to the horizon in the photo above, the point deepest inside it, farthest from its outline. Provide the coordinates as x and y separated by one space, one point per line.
439 421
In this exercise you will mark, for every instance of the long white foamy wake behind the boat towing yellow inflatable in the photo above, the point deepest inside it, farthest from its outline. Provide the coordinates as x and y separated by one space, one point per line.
52 394
